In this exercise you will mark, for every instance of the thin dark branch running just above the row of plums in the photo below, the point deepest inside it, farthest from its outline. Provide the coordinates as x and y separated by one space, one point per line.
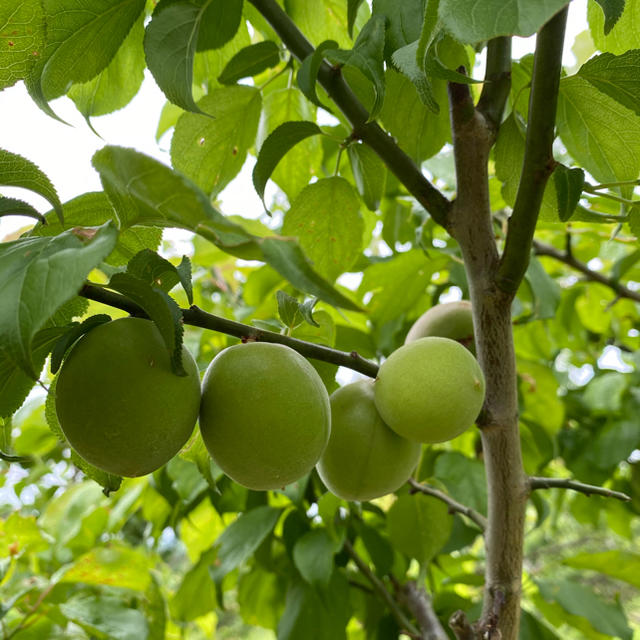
196 317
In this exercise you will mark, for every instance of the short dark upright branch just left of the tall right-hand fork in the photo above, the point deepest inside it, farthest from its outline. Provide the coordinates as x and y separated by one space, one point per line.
497 81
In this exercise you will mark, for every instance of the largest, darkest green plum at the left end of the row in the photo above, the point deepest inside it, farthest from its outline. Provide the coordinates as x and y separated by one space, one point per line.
119 404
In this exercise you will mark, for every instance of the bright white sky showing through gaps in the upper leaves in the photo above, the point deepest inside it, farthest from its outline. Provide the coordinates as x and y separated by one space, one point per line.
64 152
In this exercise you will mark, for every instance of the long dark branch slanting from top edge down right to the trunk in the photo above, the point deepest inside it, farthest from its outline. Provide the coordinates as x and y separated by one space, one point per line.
398 162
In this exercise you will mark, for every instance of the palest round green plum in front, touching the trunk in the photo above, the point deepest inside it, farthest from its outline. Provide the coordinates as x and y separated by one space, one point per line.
430 390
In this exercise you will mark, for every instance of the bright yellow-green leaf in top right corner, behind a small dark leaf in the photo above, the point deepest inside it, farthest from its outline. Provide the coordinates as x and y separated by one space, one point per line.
623 33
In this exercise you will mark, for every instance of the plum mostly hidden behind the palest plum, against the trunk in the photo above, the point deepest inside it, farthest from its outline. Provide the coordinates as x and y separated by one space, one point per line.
452 320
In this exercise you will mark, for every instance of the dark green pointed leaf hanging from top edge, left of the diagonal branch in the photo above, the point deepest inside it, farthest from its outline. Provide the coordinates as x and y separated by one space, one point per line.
170 45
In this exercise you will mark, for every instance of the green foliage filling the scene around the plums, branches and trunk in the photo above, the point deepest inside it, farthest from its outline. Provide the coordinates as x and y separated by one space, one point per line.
187 553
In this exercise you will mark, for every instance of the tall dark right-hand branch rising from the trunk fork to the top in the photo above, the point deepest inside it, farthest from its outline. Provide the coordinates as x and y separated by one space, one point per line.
538 156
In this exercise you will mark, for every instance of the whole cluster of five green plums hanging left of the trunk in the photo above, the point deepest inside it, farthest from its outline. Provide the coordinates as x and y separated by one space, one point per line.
264 413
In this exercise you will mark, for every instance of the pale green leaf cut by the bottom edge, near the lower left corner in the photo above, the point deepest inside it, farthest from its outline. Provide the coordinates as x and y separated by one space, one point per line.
105 616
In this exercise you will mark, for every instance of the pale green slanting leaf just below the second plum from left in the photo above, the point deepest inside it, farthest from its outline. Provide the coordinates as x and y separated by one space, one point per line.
241 538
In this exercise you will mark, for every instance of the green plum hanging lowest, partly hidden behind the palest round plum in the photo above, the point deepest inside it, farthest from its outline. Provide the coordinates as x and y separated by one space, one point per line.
364 458
